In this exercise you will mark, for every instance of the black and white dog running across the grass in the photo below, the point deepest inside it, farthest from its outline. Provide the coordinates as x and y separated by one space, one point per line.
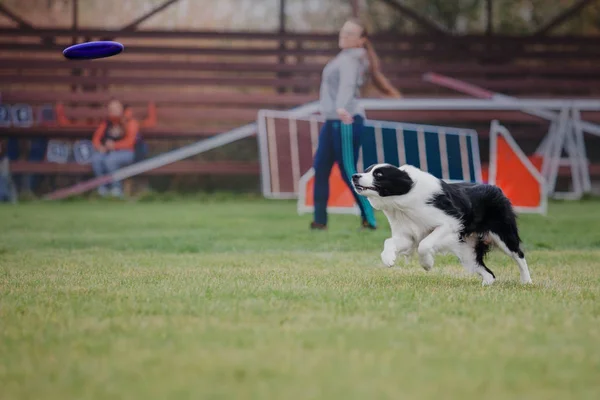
429 215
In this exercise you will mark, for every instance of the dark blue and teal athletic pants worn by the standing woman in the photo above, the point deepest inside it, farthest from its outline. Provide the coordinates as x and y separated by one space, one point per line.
338 143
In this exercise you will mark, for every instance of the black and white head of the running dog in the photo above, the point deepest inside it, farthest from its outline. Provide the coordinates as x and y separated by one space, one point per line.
382 180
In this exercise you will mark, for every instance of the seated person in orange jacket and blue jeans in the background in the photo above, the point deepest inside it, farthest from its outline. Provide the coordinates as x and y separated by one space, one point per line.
114 144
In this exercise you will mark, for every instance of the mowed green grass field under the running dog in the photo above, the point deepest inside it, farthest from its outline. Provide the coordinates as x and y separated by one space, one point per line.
238 299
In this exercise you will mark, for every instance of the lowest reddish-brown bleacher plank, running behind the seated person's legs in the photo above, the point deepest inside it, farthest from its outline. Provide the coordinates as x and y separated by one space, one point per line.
186 167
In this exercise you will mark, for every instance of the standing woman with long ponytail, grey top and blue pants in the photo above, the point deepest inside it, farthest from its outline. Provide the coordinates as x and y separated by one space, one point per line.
339 139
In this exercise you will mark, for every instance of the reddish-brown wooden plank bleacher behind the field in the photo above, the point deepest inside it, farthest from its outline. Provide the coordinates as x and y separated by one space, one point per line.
204 83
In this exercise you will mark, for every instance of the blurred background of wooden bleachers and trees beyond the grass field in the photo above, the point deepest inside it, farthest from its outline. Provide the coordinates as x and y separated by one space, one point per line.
194 69
